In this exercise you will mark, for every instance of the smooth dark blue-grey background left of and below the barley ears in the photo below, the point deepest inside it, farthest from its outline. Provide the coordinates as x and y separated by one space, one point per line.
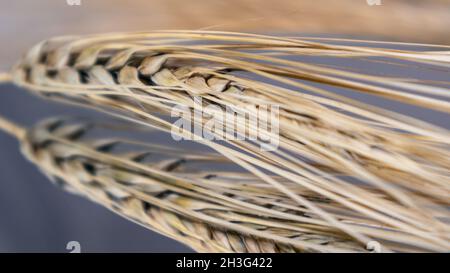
37 216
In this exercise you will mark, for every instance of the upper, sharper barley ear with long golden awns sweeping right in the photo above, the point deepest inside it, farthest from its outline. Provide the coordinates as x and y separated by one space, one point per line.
327 141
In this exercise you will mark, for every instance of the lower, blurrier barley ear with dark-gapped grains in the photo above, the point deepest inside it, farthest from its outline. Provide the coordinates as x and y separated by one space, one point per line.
164 196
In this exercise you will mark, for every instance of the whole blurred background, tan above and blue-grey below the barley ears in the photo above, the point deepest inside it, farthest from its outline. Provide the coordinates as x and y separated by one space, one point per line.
38 217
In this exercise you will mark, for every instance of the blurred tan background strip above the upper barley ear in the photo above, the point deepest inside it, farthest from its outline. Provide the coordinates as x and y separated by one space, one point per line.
24 22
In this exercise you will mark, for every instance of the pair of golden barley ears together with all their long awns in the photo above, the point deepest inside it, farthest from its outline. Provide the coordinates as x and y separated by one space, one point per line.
311 144
